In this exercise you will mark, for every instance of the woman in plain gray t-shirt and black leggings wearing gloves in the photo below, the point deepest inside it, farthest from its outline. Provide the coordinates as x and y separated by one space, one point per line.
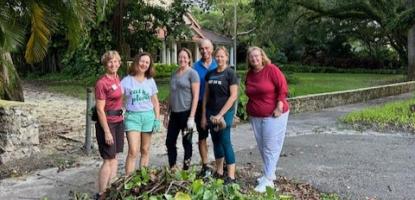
182 103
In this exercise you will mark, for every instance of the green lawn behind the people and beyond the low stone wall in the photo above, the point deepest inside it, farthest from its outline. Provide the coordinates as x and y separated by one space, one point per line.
305 83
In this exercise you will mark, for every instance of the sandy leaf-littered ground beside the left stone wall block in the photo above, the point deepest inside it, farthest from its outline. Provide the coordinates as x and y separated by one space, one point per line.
61 122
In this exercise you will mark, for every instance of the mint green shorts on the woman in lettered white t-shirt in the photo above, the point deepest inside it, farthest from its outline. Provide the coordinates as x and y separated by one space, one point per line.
139 121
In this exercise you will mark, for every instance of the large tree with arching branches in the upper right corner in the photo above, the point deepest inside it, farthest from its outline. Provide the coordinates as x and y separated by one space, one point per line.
394 18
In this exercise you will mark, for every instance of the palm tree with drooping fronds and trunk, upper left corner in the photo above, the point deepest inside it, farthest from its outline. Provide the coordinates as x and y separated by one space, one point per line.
42 18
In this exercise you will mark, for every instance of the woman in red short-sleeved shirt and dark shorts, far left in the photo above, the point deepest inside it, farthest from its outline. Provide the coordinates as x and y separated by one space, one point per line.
109 127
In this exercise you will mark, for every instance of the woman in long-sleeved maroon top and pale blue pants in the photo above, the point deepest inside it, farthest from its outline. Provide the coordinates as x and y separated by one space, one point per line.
268 110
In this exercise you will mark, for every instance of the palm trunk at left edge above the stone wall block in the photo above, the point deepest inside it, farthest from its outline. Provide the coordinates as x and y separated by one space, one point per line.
10 85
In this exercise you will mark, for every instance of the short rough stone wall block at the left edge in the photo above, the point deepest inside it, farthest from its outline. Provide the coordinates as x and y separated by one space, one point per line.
19 133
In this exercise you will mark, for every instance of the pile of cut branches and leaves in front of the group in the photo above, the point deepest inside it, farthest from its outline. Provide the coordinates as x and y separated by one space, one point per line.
165 184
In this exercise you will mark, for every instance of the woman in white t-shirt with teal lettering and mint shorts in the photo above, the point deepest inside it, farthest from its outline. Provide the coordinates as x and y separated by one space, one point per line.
143 111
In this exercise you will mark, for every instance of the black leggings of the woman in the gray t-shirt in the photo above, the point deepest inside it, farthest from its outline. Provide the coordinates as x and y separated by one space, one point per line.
177 123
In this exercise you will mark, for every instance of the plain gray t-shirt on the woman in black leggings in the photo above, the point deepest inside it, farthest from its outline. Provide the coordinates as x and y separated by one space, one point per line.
181 90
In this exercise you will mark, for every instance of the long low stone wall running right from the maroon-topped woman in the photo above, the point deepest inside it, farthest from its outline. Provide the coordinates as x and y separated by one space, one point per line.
331 99
